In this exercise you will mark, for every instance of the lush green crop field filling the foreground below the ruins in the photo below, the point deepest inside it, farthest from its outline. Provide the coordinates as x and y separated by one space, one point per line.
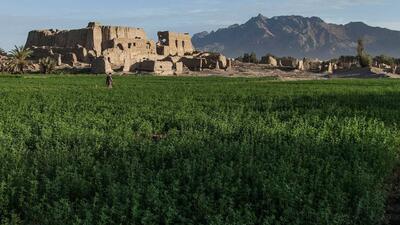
210 150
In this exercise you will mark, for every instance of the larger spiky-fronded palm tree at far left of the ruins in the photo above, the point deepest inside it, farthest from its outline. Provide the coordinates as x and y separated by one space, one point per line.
19 56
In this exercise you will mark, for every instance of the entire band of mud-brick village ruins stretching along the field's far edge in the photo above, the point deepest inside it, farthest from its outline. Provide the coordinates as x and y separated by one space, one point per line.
102 49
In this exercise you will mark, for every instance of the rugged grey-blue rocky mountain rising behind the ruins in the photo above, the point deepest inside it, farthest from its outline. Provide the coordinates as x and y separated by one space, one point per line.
298 36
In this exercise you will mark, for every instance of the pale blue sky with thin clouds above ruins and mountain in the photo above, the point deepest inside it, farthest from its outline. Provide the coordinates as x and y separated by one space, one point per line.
17 17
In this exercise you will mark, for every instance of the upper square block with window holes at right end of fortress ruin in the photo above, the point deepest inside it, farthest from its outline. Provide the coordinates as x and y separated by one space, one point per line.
171 43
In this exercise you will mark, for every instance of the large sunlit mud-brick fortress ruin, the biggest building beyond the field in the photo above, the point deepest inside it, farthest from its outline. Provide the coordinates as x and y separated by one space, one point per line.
112 48
